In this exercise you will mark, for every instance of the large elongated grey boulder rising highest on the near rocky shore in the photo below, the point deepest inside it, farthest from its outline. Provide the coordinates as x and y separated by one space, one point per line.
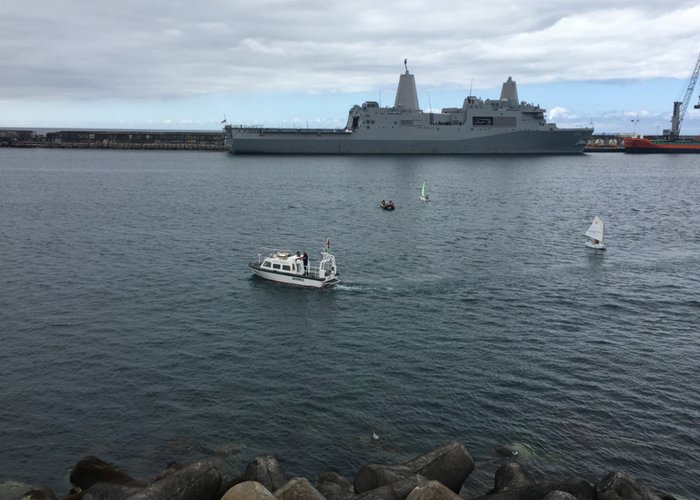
449 464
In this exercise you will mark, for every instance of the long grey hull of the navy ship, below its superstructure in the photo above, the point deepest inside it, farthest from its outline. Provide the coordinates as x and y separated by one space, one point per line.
341 142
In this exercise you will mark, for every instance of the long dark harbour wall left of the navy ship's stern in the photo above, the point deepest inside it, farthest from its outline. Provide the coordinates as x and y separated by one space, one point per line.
114 139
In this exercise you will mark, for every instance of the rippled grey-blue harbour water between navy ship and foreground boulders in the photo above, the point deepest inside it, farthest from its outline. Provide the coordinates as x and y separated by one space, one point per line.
132 328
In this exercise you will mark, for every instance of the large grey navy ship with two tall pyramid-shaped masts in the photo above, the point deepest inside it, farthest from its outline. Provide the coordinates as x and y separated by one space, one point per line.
503 126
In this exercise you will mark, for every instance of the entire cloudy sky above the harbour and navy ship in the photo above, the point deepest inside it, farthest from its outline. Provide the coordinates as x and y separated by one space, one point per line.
160 64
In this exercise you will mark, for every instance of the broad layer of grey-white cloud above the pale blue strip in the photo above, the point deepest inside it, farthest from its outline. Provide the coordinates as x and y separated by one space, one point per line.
75 49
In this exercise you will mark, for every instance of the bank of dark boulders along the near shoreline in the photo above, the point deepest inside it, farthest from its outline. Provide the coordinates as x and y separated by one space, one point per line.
436 475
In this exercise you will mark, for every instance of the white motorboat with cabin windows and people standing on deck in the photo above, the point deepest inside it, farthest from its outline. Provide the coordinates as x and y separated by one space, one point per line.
283 266
